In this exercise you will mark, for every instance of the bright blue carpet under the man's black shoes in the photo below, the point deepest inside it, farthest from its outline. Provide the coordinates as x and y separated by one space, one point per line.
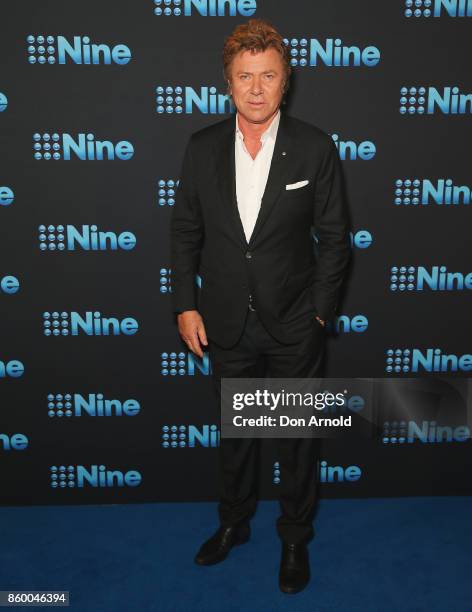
369 554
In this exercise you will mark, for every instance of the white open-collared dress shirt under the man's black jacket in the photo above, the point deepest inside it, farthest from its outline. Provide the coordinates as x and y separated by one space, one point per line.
251 174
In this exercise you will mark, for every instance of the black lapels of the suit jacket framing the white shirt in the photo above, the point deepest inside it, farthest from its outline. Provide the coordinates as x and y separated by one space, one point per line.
226 173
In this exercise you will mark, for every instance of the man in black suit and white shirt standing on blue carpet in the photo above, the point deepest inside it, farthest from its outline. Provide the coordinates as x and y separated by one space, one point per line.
252 189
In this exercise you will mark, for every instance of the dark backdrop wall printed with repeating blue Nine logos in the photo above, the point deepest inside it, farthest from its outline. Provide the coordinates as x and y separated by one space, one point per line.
101 402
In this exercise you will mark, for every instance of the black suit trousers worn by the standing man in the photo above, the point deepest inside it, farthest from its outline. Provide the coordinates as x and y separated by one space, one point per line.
257 354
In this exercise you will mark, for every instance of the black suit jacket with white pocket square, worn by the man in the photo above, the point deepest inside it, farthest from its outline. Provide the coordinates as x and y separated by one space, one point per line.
282 267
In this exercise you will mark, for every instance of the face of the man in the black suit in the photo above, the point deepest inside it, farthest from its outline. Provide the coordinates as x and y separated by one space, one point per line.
256 84
